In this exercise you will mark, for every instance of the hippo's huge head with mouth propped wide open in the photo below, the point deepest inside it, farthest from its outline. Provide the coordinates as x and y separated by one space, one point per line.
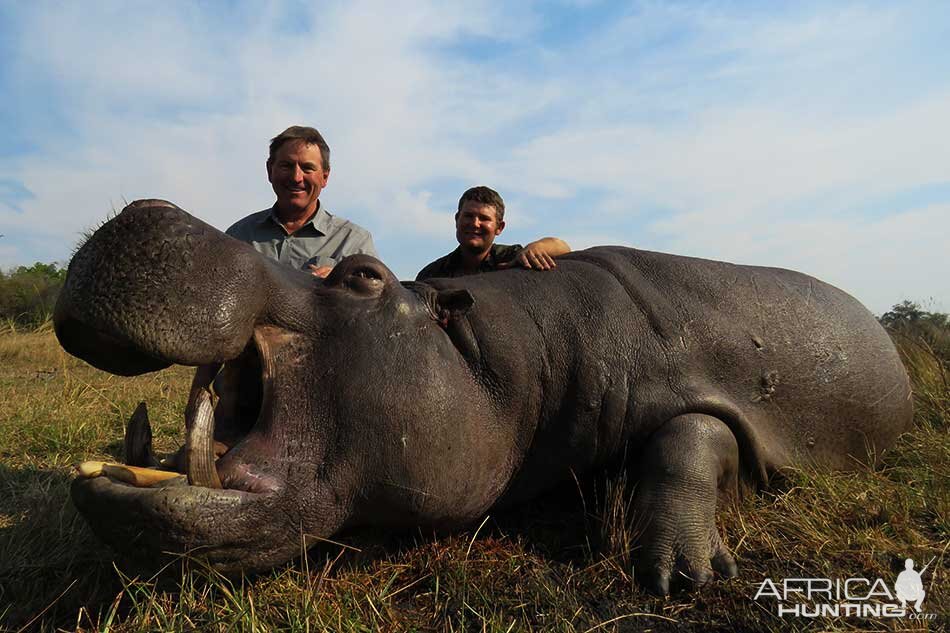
330 406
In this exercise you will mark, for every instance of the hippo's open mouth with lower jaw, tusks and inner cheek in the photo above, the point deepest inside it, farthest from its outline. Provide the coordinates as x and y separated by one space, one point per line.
222 494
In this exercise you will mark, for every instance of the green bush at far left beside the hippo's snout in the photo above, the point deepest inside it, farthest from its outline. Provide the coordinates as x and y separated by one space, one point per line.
28 294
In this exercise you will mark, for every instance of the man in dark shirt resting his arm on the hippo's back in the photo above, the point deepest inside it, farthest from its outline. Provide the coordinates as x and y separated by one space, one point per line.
479 220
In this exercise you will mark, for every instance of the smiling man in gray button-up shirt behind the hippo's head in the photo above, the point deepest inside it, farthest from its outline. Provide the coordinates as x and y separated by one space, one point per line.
297 230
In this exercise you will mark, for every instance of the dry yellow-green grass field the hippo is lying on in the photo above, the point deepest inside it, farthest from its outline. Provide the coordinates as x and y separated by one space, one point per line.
559 565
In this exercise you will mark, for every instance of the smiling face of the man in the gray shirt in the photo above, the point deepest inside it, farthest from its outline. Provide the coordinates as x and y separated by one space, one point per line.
297 176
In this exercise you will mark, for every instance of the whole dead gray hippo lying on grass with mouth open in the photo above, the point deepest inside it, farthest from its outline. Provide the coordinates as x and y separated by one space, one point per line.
360 400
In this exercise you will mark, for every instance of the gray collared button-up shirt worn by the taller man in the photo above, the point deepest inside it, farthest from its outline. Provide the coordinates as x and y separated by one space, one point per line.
323 241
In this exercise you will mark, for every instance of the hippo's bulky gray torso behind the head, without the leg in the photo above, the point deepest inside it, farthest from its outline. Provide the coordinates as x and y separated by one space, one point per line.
591 358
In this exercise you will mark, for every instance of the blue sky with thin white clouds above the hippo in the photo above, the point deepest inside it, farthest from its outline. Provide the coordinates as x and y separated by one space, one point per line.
815 136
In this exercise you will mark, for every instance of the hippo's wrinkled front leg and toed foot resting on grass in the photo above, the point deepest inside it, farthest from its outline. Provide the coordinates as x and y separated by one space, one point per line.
687 465
